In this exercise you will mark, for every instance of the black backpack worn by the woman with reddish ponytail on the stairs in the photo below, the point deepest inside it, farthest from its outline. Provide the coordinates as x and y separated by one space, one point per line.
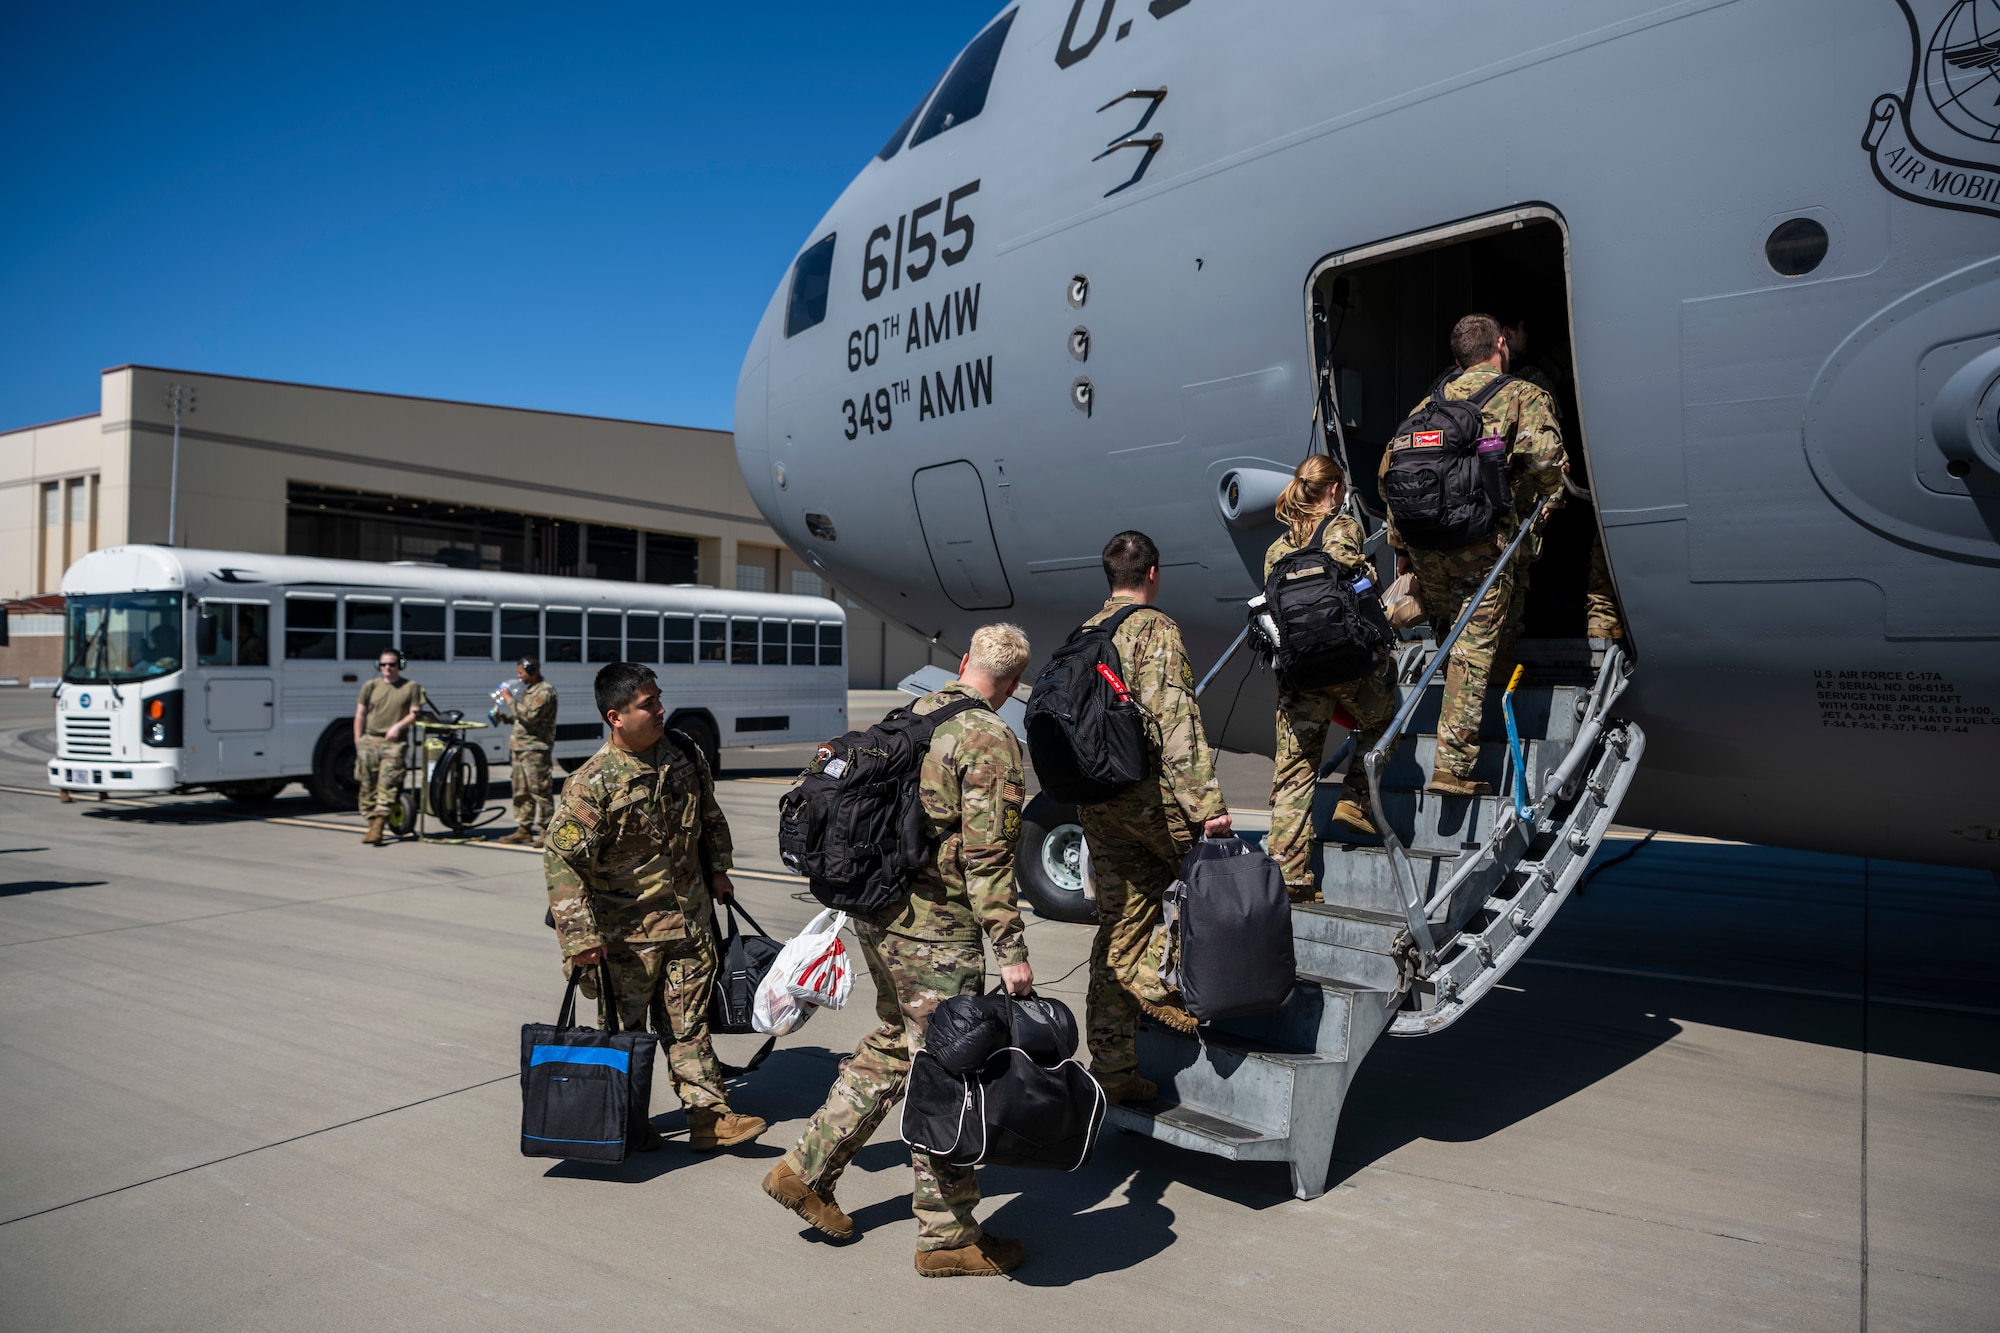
1331 625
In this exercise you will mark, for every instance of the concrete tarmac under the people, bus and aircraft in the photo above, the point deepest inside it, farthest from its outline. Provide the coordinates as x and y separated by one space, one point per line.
259 1076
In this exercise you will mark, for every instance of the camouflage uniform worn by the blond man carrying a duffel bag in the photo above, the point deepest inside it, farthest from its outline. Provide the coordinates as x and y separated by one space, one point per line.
927 950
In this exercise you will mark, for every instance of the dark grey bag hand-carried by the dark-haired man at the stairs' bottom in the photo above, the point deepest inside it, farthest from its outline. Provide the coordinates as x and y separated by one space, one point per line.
1229 932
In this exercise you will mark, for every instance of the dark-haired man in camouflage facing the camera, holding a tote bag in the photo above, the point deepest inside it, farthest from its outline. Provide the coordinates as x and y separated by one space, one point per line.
633 856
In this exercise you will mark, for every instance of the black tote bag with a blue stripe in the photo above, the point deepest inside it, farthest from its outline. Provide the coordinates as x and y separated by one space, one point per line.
585 1096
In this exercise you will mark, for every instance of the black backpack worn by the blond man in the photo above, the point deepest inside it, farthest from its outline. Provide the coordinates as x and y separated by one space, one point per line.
855 824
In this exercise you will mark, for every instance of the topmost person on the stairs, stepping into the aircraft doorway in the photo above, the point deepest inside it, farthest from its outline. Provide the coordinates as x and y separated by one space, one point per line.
1525 417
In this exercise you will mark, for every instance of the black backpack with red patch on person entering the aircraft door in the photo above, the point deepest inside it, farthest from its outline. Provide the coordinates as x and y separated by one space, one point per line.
1445 485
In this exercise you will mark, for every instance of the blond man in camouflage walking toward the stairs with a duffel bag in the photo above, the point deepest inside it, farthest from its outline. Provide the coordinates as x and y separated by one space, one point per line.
927 950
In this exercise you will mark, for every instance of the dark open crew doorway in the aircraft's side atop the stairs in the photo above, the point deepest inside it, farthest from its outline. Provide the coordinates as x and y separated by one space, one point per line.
1381 323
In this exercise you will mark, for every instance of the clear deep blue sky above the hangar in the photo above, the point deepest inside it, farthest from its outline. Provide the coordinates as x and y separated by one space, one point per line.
557 207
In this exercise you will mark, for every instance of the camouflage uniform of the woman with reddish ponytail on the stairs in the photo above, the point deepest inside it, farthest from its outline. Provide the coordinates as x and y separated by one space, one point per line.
1305 722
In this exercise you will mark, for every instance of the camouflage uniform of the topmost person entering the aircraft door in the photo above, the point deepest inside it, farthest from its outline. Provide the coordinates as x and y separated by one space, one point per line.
1525 417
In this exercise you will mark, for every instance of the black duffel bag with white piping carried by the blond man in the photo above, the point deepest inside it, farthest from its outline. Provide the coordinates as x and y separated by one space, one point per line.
1023 1108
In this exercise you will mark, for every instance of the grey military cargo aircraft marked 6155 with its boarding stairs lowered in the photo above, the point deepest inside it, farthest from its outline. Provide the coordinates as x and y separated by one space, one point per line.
1125 265
